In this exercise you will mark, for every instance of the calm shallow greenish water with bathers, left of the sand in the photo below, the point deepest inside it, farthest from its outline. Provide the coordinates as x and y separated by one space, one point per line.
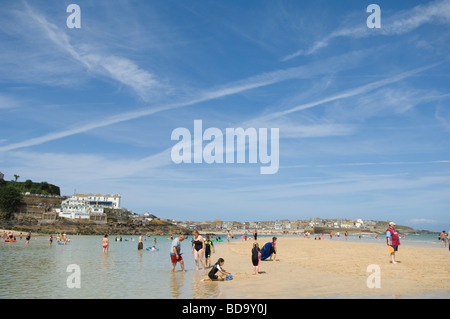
38 270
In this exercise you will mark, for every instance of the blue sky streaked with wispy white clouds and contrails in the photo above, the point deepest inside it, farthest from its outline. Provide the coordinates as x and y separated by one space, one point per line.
363 114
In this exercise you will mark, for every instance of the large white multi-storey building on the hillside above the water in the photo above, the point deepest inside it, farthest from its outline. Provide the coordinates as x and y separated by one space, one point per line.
82 206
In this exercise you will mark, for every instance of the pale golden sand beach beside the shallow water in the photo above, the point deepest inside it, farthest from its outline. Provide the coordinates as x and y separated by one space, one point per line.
308 268
